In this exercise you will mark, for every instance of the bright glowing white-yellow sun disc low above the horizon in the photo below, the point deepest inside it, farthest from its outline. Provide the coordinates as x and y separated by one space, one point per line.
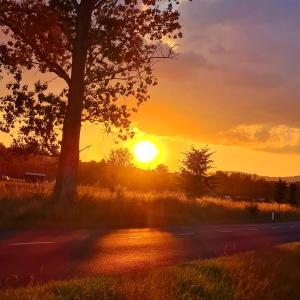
145 152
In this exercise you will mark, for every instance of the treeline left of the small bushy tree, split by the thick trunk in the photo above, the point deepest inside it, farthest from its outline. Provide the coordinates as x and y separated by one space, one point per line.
15 162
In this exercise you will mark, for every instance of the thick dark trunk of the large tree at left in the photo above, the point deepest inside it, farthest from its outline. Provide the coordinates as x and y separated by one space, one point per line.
66 178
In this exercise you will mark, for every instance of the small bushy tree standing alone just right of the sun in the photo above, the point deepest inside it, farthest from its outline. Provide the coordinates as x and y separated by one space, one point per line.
194 172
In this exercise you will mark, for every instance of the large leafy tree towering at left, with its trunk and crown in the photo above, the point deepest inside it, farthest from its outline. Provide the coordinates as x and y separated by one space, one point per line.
102 51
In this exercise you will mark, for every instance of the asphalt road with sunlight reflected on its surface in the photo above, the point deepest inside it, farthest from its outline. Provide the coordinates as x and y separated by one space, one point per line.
42 255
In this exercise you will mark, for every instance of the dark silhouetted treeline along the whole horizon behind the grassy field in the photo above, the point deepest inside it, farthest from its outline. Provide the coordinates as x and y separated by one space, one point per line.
107 174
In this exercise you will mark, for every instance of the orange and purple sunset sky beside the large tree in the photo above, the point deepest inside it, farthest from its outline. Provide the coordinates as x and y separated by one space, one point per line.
234 86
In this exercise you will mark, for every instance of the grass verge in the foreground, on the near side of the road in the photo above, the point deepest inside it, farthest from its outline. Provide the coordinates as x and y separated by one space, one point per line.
272 273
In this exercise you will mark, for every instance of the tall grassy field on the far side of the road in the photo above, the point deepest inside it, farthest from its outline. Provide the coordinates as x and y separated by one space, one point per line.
30 206
